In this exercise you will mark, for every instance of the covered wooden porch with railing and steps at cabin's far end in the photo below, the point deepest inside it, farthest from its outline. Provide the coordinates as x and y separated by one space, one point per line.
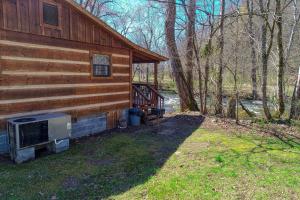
145 94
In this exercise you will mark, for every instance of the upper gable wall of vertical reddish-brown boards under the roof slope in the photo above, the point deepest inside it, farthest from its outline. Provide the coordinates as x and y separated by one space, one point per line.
25 16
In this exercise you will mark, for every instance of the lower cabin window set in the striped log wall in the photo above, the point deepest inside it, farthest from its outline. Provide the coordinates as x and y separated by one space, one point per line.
101 65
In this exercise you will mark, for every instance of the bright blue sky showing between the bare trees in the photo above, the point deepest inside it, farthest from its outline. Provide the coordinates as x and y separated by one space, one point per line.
144 15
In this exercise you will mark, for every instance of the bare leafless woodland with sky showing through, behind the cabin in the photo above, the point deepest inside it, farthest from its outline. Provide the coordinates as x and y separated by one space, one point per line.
217 48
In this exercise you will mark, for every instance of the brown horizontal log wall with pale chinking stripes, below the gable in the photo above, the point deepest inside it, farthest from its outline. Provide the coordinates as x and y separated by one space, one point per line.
39 78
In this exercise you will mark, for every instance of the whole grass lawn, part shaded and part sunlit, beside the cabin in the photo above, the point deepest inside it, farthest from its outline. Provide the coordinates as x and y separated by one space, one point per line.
182 158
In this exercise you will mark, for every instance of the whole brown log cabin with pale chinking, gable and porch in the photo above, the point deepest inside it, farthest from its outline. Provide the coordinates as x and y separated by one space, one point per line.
57 57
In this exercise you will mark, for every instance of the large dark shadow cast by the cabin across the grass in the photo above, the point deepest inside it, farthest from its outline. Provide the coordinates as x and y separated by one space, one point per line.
101 166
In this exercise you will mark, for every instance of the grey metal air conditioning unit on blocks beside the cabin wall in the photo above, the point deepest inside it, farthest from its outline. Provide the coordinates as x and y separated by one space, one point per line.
31 132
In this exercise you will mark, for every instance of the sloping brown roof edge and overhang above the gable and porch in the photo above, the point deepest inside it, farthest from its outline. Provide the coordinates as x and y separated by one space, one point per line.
140 54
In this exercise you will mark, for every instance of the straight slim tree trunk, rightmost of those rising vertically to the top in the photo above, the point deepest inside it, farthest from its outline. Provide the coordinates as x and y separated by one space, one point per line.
281 64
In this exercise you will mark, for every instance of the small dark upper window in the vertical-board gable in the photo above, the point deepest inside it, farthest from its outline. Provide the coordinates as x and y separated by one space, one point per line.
50 14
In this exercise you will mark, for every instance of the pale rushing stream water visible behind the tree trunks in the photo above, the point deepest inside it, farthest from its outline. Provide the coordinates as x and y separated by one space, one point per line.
172 103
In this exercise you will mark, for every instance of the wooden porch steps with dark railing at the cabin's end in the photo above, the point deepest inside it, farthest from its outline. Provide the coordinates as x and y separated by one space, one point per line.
146 98
